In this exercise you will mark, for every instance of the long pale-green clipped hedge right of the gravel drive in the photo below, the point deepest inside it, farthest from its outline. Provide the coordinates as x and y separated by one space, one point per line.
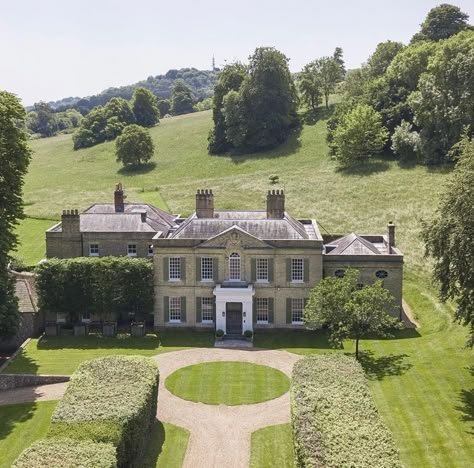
334 418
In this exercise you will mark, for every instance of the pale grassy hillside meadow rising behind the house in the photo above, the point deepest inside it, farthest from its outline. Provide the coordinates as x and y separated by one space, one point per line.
61 178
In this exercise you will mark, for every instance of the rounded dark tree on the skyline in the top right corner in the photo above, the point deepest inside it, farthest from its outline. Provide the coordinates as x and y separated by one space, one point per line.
442 21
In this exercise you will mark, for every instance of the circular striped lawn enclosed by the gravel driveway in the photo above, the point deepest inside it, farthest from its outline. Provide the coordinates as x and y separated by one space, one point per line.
228 383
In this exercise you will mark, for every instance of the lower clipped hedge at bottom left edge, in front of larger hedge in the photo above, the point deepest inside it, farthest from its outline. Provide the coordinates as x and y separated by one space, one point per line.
62 452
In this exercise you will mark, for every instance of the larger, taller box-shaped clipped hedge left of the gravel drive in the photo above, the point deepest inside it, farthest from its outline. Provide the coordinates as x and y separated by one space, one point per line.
110 400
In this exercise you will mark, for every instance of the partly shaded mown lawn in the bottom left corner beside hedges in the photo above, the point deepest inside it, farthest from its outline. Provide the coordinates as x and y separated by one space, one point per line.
20 426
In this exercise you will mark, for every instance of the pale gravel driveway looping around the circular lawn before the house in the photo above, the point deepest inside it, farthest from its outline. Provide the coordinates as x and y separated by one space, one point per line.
220 435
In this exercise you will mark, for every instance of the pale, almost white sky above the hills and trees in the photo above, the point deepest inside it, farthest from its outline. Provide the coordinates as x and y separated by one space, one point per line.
52 49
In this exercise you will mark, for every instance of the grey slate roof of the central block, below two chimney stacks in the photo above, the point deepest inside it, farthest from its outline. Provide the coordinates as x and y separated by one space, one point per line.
253 222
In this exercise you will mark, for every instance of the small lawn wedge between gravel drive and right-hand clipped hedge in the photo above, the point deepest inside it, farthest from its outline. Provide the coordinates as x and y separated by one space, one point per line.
272 447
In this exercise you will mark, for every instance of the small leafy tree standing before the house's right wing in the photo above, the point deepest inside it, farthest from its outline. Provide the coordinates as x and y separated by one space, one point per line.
349 311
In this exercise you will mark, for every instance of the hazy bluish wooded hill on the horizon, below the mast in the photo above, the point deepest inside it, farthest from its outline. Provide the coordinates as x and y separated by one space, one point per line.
201 83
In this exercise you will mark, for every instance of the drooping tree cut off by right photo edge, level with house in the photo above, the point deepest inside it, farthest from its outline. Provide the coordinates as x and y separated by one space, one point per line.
449 239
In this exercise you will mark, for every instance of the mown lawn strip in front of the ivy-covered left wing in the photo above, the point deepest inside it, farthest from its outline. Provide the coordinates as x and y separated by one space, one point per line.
62 355
